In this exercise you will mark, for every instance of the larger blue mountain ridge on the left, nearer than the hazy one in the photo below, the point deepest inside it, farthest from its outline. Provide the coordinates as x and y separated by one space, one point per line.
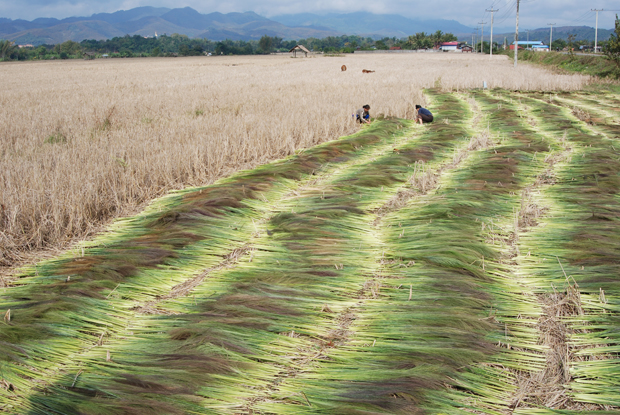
147 21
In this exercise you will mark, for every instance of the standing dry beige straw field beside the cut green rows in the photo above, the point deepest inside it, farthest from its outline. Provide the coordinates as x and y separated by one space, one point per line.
87 141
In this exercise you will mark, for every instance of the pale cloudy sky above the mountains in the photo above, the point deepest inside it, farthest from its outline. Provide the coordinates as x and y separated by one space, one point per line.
533 13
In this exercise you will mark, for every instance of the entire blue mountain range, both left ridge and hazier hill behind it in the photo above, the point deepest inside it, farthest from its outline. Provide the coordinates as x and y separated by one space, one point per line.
148 21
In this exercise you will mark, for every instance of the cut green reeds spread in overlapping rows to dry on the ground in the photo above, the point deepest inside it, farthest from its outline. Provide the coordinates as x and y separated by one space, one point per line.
468 266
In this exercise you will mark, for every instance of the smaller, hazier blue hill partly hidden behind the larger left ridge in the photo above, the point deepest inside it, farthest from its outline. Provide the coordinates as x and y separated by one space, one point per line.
368 24
